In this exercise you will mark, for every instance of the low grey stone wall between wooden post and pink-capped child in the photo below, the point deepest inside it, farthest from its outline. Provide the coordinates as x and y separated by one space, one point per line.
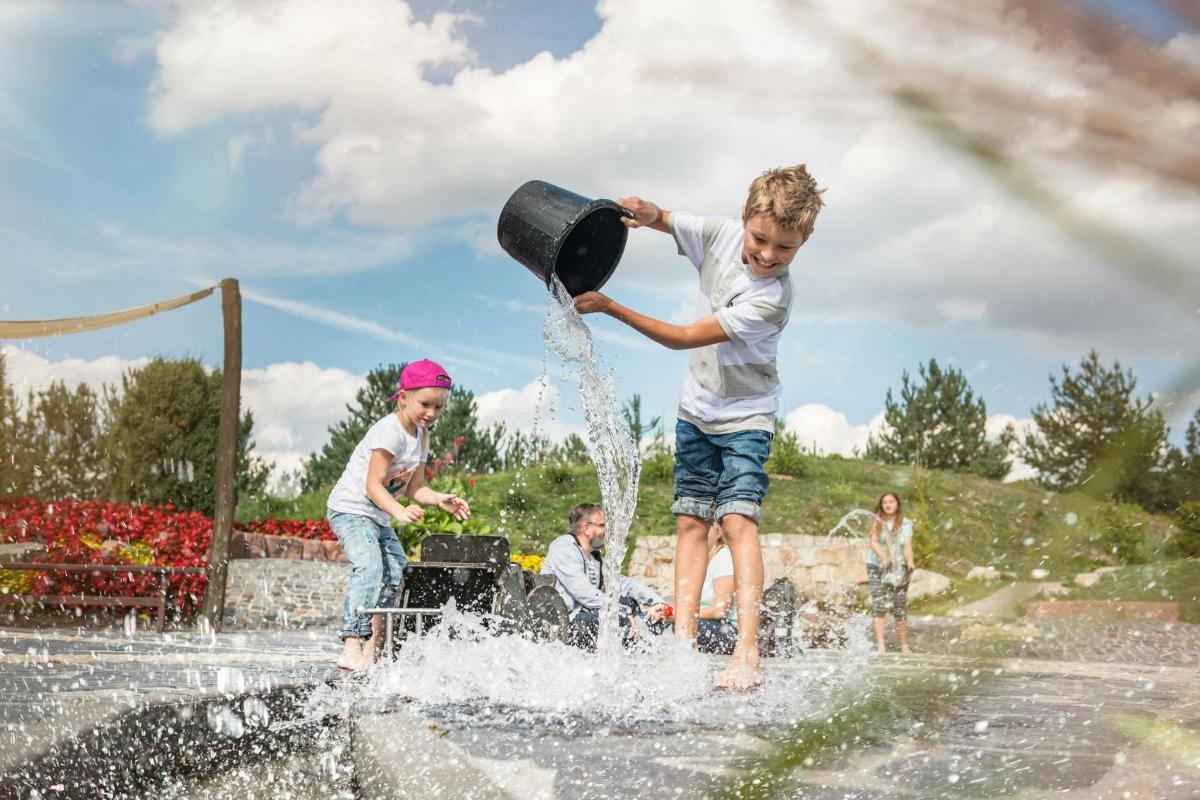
280 593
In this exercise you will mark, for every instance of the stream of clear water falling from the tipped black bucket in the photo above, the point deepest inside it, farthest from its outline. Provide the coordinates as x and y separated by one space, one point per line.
610 443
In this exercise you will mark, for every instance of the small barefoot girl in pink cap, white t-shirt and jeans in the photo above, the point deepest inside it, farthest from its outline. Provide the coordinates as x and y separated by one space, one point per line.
386 465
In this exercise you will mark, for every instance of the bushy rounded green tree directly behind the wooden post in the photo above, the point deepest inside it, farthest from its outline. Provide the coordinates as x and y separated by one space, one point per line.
161 438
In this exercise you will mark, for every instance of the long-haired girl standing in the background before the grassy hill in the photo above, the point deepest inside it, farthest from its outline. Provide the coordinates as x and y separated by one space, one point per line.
890 563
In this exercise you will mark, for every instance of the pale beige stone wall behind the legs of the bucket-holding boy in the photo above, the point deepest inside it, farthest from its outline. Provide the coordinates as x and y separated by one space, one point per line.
817 566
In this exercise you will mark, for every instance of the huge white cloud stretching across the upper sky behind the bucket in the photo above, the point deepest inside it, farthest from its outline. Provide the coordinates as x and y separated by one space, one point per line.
910 225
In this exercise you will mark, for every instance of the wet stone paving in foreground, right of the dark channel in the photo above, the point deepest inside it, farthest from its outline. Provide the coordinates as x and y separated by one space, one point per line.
979 730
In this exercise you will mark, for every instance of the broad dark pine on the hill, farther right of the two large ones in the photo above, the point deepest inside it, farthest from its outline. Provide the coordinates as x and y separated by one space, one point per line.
1097 436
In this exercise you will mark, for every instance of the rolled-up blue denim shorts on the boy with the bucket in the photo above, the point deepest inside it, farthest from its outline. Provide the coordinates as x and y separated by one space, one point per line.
717 476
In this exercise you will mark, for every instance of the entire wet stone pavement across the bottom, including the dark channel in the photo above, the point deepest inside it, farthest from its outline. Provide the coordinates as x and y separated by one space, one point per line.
977 712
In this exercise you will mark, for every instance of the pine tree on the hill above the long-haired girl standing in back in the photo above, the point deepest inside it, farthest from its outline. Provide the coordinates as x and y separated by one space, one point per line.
939 424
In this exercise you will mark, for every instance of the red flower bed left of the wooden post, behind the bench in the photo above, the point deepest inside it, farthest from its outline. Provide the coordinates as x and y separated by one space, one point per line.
100 532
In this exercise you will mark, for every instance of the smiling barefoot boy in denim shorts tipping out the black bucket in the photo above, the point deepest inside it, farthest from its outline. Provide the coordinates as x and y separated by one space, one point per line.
731 394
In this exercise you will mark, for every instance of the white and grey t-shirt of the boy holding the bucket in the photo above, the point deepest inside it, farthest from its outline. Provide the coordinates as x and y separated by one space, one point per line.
733 386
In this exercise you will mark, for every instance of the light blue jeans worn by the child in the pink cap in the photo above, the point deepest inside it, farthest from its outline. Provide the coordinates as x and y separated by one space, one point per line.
377 564
